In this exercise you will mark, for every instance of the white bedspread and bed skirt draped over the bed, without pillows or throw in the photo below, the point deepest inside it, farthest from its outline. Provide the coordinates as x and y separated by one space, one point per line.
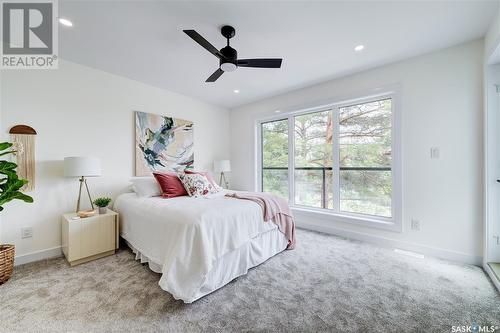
197 244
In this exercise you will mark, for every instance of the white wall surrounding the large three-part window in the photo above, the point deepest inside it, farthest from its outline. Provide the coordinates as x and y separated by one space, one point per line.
441 106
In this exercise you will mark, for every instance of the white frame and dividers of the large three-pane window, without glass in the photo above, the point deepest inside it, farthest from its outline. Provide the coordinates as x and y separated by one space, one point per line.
394 223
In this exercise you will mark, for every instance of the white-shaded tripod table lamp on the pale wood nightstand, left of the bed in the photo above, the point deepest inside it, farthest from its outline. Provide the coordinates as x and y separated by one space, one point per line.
82 167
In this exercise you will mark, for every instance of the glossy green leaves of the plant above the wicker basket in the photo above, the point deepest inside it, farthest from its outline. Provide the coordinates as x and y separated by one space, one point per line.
10 184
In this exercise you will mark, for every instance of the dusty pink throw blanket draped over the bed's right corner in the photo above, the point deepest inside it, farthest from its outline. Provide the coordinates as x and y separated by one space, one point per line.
274 208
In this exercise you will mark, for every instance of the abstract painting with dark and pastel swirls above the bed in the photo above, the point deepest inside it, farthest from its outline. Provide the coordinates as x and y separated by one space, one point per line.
162 144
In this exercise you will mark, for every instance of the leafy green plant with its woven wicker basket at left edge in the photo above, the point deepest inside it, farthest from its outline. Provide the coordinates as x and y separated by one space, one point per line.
10 184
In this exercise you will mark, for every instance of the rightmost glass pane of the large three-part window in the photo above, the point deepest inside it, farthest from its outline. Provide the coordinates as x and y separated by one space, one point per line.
365 158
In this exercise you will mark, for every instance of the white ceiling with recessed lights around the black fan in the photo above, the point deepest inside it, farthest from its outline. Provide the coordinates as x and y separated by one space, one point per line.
143 40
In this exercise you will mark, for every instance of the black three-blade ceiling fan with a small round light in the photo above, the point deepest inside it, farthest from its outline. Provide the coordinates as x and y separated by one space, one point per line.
228 56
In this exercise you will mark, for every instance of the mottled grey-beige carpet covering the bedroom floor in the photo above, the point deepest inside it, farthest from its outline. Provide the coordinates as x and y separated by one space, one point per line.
327 284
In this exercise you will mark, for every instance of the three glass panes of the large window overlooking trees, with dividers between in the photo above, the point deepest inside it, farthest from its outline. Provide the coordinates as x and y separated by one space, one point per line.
342 159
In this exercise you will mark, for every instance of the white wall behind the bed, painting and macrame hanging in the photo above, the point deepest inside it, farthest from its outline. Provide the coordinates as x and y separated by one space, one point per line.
77 110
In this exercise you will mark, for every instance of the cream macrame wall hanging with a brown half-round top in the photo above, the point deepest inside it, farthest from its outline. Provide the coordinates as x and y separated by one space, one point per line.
23 138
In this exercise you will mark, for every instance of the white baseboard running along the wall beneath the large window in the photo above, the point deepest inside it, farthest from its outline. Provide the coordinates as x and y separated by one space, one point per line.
395 244
